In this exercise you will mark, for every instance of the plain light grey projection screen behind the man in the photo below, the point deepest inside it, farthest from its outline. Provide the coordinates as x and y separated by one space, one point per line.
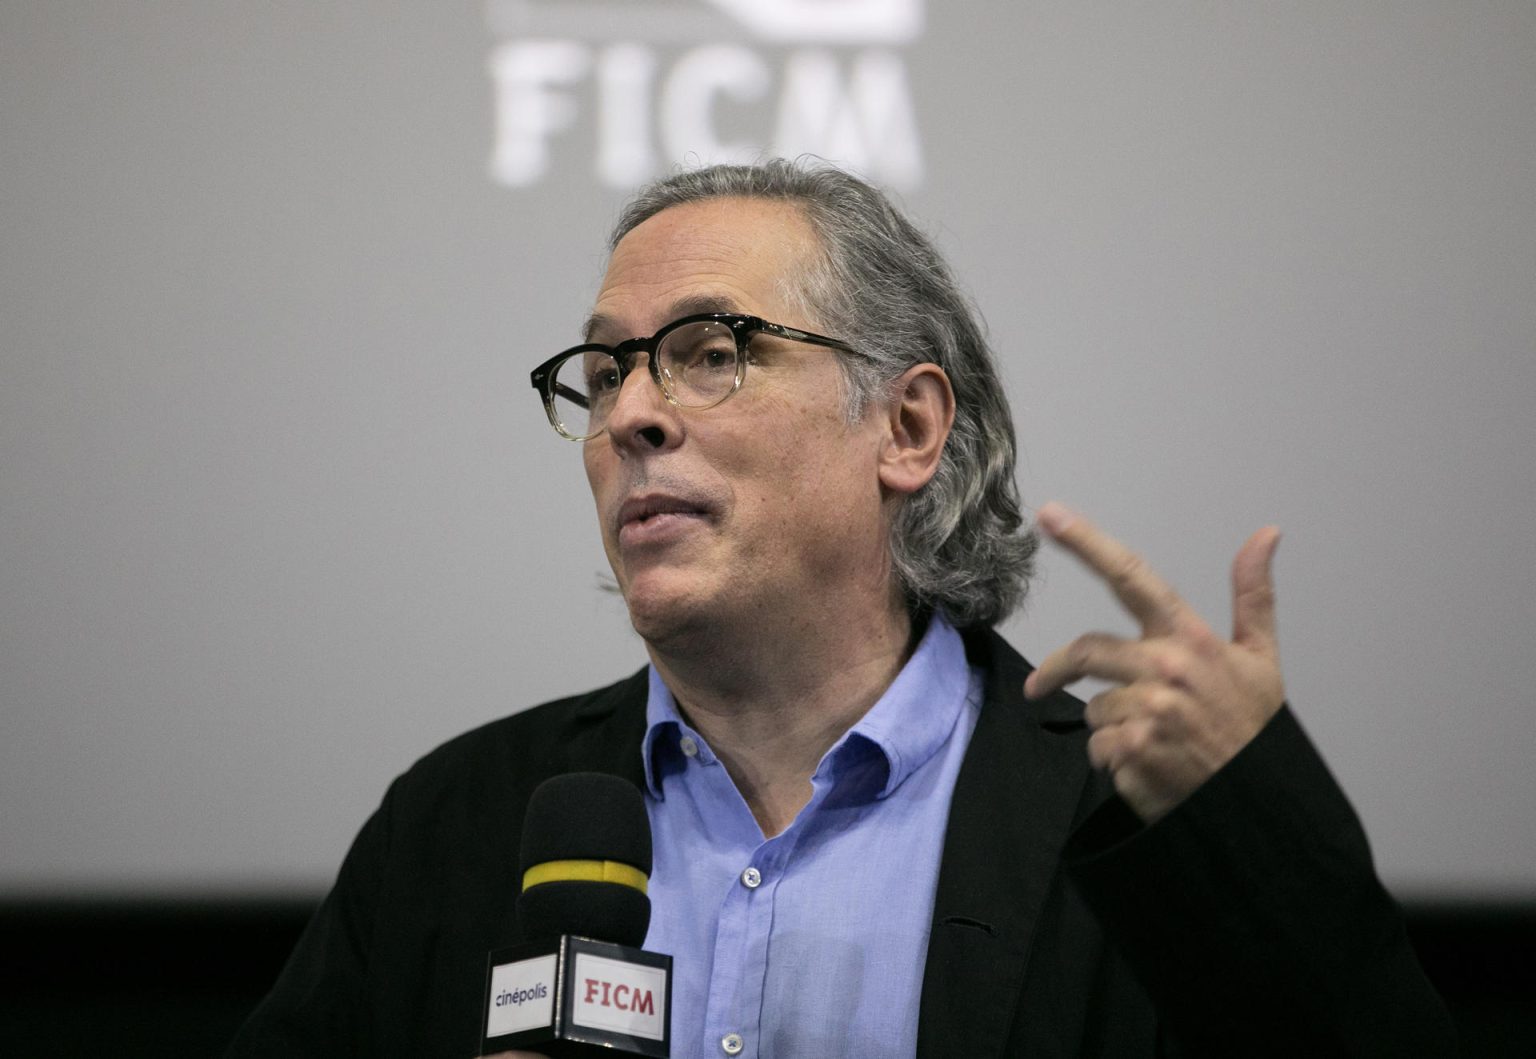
279 511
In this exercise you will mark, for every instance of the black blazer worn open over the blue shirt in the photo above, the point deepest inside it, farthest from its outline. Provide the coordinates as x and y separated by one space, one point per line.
1248 921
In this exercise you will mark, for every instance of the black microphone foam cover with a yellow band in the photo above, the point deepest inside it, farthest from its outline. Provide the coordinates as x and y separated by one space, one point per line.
586 855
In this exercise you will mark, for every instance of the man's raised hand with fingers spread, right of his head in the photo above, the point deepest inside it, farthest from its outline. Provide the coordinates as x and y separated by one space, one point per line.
1187 699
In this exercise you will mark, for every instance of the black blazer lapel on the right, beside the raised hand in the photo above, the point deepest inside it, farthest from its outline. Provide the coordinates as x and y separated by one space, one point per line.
1015 805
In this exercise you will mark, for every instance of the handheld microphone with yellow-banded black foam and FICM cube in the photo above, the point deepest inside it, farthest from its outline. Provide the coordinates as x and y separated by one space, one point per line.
581 986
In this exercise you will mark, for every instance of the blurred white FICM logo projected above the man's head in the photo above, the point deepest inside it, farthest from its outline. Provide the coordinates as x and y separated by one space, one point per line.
624 90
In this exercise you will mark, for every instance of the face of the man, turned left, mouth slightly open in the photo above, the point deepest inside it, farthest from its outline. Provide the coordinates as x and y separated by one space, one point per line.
766 508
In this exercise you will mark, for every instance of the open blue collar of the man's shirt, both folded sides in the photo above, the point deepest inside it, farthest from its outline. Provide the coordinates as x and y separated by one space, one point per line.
905 726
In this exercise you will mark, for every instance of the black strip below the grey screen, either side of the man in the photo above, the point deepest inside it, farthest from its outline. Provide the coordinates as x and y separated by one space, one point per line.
176 978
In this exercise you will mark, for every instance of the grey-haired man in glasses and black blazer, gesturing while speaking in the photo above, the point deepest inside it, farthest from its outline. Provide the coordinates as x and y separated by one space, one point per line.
869 840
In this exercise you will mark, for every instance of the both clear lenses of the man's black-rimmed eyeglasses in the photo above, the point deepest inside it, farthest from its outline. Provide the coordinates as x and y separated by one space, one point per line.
698 365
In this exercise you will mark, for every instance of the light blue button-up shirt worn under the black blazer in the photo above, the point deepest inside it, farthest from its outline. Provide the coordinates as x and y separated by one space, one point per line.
810 943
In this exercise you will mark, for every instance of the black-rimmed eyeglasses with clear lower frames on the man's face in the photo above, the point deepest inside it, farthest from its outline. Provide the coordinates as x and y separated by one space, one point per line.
698 362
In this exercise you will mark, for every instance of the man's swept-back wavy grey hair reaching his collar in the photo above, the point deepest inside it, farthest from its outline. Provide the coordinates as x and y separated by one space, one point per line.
958 545
